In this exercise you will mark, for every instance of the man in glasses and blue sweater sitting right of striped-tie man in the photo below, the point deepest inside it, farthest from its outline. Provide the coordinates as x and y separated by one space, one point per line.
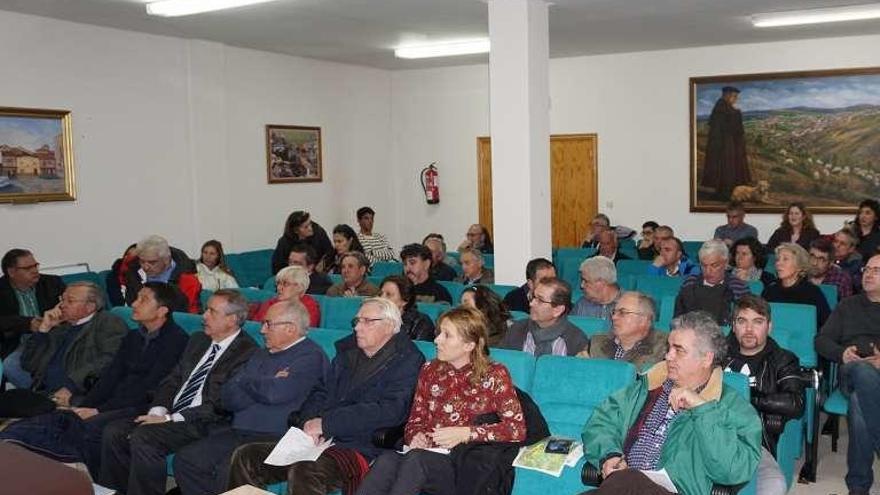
275 382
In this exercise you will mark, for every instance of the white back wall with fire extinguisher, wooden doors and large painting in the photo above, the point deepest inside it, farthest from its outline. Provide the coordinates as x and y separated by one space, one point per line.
637 103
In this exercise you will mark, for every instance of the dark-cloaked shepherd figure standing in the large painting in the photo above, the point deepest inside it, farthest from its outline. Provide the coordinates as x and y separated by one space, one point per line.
726 164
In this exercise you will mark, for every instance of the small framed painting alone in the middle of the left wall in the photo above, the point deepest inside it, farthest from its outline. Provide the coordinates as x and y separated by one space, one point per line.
293 154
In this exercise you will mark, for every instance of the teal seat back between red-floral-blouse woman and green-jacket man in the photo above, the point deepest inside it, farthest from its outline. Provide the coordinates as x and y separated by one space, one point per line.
567 390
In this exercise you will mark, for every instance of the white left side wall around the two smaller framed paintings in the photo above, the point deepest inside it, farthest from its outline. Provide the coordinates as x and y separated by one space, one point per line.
169 138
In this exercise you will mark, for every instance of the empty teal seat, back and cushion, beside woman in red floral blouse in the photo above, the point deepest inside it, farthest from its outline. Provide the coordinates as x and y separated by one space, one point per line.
567 390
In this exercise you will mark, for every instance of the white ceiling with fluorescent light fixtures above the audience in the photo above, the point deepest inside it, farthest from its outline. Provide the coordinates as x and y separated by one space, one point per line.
364 32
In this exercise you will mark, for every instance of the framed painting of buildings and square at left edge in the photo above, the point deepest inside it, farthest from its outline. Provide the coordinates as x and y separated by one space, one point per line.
36 156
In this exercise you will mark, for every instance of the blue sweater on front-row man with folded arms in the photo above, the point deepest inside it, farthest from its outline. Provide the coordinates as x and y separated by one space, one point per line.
271 386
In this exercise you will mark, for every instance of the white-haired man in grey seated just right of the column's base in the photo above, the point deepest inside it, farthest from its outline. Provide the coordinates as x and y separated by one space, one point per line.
599 284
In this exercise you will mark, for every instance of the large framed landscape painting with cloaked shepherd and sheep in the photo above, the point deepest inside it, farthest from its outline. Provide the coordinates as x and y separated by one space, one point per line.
771 139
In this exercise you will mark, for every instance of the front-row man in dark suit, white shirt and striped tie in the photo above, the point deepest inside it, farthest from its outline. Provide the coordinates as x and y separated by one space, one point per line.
187 406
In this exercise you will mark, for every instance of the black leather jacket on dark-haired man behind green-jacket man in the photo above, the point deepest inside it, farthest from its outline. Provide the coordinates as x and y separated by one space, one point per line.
777 389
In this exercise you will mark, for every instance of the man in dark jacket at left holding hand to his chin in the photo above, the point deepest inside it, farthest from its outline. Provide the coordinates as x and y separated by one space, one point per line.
63 358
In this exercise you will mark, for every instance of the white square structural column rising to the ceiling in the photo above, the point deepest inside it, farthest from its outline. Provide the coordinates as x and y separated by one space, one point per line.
520 128
